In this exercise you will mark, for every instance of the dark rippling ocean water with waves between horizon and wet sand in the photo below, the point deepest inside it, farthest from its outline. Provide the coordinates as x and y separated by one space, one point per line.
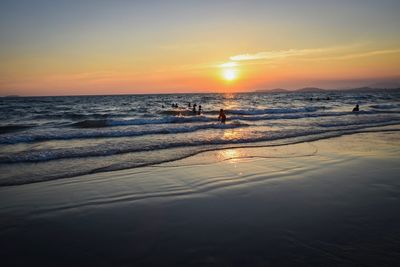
45 138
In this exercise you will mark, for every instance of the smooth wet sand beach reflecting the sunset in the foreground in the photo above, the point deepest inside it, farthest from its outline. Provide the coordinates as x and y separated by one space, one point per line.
330 202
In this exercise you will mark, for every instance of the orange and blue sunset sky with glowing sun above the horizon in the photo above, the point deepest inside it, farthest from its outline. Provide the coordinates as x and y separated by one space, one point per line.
127 47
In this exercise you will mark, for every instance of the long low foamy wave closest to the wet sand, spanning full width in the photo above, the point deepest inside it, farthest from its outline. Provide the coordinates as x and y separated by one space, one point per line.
131 147
